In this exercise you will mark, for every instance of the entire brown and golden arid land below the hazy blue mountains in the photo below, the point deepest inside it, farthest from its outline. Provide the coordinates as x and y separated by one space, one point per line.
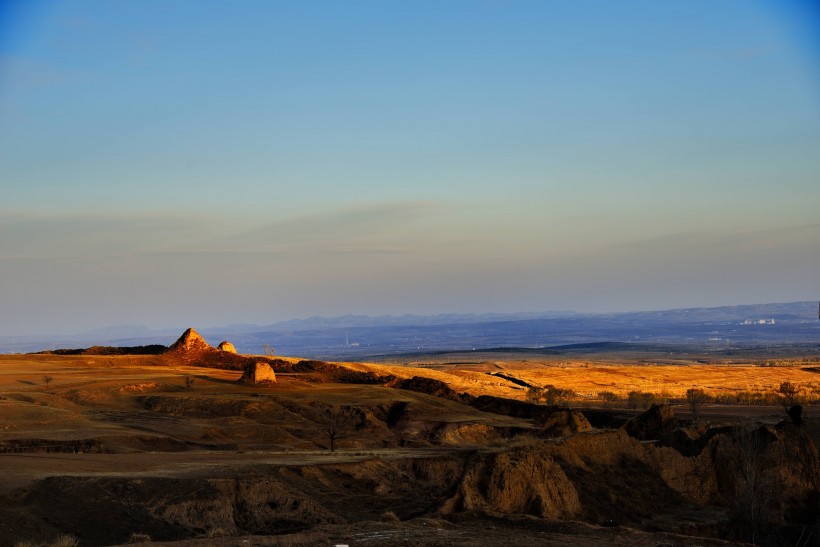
476 449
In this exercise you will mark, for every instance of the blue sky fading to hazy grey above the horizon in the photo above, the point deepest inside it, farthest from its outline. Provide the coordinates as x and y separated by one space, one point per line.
202 163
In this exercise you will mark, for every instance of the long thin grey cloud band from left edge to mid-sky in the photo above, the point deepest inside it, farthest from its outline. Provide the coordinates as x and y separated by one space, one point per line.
374 229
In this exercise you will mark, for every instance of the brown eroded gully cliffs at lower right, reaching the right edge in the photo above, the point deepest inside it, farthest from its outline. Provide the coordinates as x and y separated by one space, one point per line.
747 482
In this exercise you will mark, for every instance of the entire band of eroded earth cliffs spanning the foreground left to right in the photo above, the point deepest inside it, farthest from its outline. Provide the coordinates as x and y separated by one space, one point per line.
602 478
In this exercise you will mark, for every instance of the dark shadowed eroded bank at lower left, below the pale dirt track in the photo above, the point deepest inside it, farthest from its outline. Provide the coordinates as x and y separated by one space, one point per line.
238 500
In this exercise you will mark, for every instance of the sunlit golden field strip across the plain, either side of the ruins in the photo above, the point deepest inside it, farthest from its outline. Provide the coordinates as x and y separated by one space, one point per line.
586 378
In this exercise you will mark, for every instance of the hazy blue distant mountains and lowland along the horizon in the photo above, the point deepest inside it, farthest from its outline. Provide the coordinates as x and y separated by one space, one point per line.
358 337
